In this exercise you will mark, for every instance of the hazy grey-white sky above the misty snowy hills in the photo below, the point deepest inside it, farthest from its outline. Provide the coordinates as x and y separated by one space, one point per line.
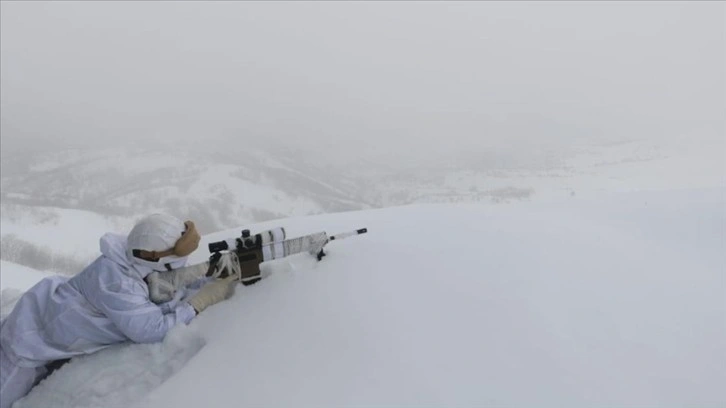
376 78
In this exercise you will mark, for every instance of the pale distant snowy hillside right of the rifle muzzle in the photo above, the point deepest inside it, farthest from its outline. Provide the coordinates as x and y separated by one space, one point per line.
515 174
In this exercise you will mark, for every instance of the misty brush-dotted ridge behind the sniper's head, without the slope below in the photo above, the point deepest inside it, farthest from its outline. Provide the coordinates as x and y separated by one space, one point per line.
220 189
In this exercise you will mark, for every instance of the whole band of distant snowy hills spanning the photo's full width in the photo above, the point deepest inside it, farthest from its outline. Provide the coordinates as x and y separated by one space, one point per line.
100 190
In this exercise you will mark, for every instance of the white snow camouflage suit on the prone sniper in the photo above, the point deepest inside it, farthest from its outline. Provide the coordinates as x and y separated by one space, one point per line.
61 317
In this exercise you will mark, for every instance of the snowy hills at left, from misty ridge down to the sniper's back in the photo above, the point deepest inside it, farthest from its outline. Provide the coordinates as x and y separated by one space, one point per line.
84 192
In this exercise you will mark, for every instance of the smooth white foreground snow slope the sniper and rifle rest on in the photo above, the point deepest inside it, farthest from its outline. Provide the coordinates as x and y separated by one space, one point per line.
610 302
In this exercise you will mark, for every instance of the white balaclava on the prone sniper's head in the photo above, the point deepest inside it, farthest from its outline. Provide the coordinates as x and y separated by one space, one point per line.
156 232
